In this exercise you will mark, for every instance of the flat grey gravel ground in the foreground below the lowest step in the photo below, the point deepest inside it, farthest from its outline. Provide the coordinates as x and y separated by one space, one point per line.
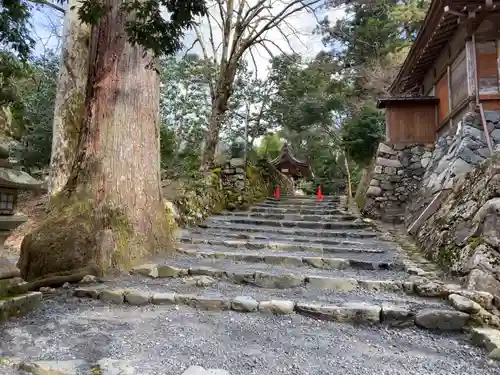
166 340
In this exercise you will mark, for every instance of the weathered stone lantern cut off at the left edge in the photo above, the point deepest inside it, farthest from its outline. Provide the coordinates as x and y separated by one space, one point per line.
11 182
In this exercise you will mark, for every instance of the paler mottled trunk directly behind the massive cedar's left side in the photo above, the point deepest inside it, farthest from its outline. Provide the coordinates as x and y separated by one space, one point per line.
70 97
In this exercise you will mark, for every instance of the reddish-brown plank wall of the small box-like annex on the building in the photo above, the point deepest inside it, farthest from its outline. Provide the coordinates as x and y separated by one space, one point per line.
410 123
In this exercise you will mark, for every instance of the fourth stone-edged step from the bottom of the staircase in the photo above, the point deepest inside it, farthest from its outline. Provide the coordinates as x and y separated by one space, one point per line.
257 247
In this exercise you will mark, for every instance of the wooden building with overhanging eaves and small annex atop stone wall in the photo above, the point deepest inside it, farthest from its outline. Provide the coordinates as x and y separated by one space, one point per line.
452 68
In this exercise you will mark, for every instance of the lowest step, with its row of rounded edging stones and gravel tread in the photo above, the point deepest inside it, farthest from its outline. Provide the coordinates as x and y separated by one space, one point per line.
402 312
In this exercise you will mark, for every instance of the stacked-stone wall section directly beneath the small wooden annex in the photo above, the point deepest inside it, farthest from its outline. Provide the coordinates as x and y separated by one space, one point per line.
396 174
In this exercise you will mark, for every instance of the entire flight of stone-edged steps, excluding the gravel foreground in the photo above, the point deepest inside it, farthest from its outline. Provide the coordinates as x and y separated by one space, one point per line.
298 255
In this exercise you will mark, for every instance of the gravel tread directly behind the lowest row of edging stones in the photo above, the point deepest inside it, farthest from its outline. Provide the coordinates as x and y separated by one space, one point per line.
301 294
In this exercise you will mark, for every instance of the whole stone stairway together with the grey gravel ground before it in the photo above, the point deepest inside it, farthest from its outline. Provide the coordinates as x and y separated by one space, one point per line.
269 291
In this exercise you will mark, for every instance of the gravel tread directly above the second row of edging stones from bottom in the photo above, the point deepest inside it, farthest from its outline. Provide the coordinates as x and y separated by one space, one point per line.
232 266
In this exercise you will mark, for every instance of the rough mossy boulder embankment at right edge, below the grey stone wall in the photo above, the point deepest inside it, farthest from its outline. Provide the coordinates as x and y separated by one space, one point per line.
463 235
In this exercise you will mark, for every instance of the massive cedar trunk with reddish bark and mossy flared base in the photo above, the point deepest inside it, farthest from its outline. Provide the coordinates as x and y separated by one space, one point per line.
110 213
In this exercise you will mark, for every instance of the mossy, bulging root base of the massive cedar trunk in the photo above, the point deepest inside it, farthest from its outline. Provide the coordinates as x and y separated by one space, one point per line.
79 233
